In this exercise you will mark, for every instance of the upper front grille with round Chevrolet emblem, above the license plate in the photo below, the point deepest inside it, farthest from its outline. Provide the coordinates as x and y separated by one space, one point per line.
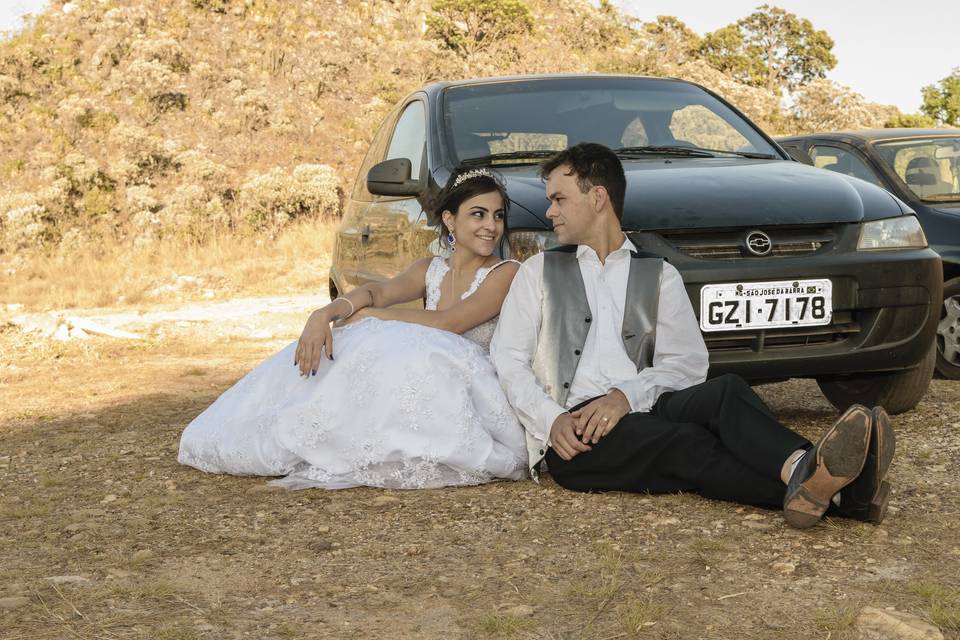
729 244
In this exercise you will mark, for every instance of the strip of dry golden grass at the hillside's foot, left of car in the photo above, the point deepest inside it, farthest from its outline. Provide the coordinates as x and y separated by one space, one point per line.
116 273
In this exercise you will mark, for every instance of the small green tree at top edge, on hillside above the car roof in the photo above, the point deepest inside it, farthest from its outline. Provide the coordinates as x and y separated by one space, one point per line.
468 26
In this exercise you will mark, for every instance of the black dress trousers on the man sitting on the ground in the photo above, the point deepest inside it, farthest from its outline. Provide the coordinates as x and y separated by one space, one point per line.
717 439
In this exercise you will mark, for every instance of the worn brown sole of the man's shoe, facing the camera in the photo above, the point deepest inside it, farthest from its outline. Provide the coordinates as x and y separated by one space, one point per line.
841 454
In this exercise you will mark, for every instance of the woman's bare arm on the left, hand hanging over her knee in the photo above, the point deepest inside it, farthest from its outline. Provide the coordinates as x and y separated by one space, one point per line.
317 337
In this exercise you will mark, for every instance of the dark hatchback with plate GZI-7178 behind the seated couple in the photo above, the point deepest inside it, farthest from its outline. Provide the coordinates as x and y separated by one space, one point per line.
792 271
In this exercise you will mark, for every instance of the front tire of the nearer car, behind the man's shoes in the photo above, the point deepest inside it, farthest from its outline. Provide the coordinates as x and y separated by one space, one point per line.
895 392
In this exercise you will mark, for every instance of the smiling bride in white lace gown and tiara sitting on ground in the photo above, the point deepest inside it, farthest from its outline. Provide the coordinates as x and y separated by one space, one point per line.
388 397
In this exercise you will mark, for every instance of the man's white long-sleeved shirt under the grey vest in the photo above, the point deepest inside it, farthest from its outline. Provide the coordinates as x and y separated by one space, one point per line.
680 357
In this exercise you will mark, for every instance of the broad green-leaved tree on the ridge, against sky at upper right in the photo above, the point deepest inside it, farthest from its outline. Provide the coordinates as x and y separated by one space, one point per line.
770 48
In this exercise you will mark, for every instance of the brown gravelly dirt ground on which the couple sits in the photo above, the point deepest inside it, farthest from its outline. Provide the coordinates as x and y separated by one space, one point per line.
104 535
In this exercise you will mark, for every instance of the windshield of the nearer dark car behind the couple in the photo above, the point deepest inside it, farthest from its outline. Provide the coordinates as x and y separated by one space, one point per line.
520 122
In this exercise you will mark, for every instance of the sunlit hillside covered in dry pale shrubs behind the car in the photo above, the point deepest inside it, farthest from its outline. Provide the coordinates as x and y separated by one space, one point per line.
134 122
